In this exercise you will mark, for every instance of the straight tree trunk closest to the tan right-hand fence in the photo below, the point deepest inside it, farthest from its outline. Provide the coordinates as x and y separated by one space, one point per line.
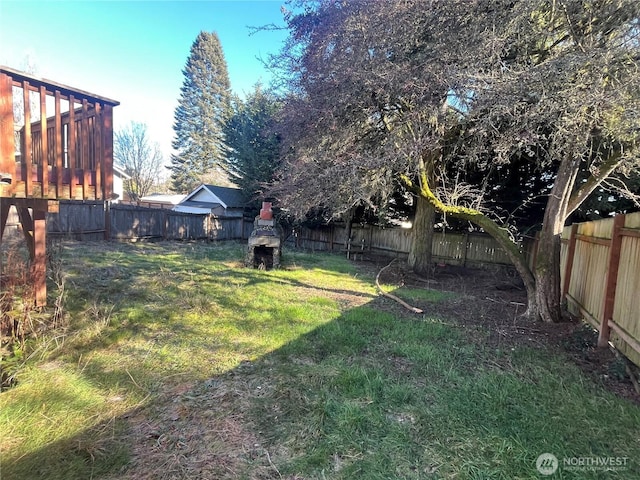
547 267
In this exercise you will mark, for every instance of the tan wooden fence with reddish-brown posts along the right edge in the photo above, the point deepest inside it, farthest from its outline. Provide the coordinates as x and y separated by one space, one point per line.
600 267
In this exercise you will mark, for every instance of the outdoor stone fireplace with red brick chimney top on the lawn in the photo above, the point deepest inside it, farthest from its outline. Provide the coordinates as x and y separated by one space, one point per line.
264 242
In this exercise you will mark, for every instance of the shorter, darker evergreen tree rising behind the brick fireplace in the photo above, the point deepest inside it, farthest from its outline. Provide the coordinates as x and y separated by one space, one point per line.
252 143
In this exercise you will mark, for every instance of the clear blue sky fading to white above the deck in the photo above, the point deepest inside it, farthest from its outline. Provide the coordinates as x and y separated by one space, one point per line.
134 51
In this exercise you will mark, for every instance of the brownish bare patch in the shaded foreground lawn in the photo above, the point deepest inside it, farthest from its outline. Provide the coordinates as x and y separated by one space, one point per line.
200 432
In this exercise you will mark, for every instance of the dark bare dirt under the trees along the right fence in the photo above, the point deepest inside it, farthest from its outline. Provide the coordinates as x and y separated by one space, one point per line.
493 300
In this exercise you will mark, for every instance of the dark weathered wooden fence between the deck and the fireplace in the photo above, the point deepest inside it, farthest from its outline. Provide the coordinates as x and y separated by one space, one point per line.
97 220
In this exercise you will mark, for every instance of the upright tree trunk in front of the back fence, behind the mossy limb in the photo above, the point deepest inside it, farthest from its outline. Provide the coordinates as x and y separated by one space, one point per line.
422 237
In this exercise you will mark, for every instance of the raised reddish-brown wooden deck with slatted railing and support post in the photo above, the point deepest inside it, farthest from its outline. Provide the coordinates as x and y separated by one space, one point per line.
56 142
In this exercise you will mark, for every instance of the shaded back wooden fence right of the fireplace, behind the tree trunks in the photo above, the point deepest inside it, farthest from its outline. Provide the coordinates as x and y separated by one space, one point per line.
465 249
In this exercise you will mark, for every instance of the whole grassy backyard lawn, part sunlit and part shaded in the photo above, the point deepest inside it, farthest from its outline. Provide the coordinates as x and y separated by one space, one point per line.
177 362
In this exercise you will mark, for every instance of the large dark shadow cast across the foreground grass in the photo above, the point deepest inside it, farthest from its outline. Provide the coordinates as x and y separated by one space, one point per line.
370 395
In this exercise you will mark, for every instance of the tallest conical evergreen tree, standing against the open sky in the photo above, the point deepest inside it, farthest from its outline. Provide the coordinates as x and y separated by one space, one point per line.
200 115
